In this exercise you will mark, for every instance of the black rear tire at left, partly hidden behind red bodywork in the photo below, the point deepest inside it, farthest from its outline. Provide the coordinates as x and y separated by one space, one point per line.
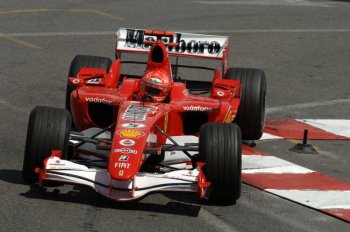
85 61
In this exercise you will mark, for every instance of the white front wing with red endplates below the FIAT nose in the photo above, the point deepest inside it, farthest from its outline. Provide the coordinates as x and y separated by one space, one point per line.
59 170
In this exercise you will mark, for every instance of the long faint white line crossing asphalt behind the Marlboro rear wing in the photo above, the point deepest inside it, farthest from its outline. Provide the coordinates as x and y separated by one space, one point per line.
94 33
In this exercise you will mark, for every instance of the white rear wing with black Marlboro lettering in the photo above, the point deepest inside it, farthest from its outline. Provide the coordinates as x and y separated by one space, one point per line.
188 44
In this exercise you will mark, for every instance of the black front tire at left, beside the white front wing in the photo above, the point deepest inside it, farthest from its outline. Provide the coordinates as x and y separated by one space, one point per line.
48 129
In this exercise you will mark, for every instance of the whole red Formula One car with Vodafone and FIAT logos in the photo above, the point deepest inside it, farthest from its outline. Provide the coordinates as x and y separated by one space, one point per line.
155 132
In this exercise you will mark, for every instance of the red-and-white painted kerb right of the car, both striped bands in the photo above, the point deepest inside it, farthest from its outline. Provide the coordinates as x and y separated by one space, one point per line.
295 182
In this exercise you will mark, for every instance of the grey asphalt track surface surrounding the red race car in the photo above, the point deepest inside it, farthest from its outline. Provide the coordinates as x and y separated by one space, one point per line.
303 46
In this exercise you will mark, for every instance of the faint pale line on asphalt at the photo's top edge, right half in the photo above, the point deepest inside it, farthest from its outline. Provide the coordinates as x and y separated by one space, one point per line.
266 3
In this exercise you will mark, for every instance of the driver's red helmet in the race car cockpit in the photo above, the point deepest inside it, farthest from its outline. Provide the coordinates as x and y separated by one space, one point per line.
156 84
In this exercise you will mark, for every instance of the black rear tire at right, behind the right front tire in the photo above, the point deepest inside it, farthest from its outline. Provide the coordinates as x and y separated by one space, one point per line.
251 112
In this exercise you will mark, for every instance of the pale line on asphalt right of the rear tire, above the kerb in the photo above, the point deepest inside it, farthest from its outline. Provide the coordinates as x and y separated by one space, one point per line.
306 105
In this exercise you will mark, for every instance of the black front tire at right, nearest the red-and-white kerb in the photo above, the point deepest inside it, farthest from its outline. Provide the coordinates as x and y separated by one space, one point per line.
220 149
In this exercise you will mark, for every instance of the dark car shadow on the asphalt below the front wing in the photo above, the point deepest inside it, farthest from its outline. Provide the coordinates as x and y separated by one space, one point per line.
85 195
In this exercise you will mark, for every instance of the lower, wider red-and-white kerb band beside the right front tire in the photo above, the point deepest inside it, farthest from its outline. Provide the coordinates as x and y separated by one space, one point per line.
296 183
